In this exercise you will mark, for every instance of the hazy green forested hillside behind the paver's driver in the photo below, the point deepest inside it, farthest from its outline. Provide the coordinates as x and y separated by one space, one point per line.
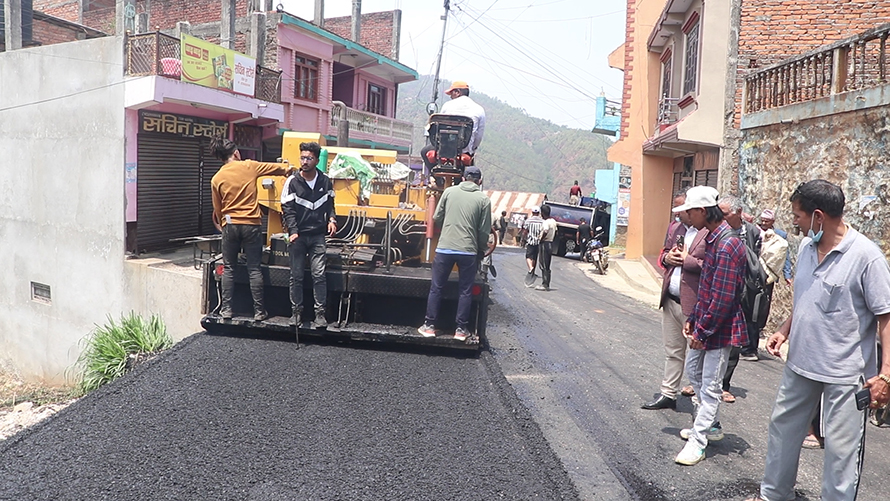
519 152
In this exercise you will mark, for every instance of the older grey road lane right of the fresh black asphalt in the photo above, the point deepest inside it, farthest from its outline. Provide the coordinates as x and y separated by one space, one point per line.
583 359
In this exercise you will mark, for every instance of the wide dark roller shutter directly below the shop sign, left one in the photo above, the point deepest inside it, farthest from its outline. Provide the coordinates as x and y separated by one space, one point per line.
169 192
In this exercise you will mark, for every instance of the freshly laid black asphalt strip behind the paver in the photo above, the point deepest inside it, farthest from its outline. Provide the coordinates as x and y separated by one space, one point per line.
258 419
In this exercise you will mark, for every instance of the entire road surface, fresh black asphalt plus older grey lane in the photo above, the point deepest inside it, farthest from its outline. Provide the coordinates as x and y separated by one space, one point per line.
236 418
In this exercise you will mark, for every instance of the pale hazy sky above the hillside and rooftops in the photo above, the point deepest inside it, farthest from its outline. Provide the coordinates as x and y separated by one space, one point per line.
547 57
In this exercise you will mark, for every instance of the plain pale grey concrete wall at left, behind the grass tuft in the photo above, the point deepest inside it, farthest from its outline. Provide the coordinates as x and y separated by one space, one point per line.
62 214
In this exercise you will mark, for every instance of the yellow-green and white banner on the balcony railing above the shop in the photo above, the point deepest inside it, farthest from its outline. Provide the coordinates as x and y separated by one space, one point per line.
215 67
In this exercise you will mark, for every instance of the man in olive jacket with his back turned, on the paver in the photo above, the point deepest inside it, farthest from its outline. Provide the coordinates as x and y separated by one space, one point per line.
464 214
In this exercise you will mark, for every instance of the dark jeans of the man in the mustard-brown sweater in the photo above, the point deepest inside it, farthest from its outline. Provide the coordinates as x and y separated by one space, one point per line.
250 238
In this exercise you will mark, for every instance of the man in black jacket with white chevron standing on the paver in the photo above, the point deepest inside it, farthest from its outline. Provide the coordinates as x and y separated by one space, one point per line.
307 201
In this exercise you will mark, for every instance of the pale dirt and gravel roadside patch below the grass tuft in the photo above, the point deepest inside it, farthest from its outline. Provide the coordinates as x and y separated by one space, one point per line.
25 404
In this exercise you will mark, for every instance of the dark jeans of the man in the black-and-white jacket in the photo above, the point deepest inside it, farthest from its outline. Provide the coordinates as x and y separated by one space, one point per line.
314 247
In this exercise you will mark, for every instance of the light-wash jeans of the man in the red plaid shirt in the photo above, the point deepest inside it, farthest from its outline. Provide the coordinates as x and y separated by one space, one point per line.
705 369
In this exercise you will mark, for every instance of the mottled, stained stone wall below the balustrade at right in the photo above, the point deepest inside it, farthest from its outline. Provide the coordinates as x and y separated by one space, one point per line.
848 148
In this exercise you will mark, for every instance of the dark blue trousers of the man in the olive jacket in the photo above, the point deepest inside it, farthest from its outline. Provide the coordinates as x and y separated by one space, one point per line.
466 273
